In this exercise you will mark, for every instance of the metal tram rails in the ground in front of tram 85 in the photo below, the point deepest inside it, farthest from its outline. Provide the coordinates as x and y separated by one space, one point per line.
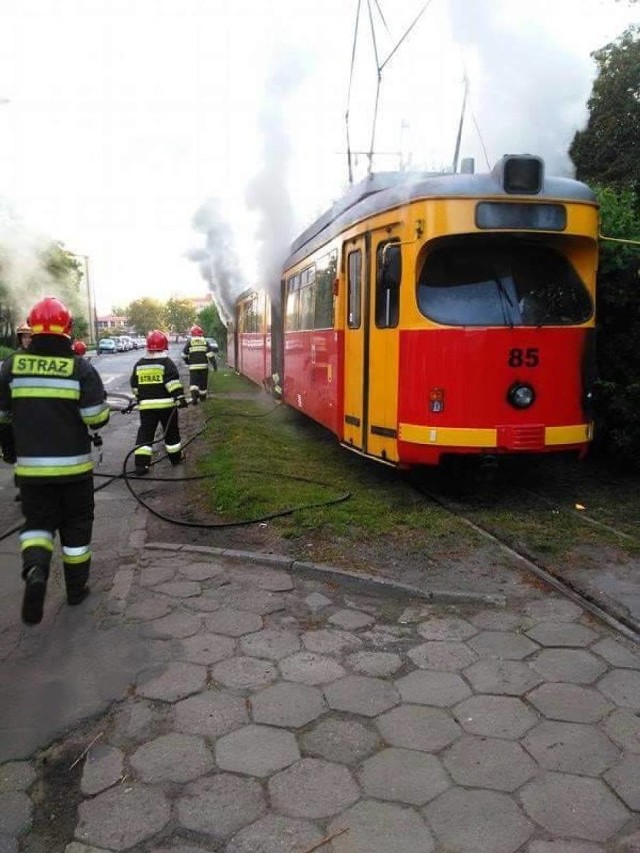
617 617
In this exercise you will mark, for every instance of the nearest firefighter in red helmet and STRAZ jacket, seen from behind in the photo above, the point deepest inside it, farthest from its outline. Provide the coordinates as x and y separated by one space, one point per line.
49 399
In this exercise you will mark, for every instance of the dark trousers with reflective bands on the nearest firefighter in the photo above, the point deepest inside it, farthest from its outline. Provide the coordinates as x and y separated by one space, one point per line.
67 508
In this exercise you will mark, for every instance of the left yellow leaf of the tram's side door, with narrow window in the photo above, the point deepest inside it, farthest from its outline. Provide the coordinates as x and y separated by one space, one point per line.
356 265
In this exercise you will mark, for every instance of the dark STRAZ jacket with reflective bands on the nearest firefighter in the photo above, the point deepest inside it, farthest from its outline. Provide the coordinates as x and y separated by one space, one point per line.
48 398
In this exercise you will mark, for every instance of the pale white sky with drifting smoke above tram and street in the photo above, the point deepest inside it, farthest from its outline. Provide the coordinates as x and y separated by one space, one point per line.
125 123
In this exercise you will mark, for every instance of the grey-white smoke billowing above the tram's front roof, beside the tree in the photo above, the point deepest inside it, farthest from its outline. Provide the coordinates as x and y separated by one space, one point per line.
527 93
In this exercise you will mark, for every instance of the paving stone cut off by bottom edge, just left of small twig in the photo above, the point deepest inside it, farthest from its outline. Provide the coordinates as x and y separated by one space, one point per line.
275 834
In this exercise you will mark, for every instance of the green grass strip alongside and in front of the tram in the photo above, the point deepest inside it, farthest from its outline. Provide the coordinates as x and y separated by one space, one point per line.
267 458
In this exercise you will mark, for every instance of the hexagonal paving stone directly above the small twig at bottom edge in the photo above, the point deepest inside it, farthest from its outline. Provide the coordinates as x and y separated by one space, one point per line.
312 788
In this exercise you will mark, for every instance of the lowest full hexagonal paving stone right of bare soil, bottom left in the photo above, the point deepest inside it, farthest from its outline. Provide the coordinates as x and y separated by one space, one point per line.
122 817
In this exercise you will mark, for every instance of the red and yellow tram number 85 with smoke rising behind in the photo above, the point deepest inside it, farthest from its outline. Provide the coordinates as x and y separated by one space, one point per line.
431 316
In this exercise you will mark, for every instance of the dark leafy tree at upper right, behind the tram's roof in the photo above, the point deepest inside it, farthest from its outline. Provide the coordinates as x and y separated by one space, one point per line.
607 151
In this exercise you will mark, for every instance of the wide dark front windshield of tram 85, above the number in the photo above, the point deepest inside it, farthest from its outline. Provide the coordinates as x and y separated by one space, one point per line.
501 282
